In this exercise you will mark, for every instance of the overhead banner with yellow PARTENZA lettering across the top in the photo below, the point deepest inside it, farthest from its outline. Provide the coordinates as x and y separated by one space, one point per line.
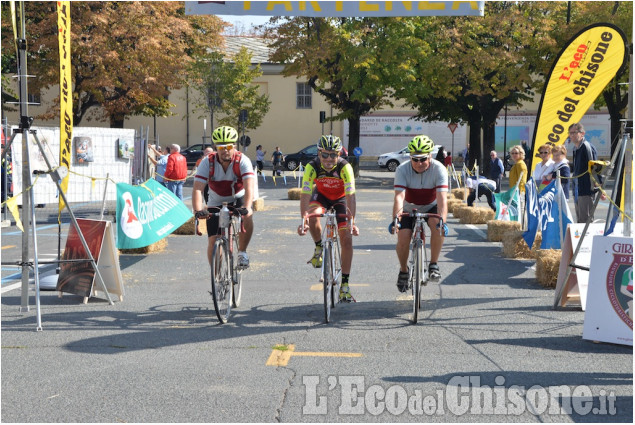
336 8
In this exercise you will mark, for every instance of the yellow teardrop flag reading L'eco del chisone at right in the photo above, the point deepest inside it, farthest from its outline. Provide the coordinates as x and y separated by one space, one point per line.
580 73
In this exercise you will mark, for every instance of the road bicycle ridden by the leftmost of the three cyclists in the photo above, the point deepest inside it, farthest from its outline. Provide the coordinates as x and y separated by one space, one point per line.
226 274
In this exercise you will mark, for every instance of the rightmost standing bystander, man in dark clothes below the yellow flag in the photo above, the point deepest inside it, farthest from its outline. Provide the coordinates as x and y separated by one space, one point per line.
584 192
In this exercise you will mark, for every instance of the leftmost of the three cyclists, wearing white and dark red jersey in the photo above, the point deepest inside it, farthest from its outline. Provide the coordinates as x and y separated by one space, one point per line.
230 178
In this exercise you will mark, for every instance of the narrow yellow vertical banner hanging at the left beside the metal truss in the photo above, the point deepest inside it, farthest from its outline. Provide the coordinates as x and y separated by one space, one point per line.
66 90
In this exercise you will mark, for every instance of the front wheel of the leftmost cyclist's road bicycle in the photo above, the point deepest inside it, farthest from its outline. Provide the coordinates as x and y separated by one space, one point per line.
221 280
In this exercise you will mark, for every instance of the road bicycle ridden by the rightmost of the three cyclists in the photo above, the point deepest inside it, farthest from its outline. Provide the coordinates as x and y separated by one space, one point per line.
418 261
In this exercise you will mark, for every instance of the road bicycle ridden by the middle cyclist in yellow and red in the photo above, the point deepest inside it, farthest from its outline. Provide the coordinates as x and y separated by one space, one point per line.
331 273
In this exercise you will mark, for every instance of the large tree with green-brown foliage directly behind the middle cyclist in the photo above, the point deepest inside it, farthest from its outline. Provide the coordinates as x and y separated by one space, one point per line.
346 60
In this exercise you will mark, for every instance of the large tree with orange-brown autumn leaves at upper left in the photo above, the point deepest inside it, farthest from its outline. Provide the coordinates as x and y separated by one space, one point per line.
126 57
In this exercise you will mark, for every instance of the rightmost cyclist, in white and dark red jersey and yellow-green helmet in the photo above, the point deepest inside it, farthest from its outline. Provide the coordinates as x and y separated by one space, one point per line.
421 184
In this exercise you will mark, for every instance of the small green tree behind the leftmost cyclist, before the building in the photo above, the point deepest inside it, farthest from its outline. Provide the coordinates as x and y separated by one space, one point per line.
226 85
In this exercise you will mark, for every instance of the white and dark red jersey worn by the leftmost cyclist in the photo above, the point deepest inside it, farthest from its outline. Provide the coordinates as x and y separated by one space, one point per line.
222 186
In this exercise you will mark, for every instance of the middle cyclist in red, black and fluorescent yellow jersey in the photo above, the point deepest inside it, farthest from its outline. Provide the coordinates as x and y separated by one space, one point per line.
334 187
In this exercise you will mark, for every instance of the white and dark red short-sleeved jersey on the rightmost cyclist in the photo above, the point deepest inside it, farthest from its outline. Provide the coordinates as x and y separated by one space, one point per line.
421 188
